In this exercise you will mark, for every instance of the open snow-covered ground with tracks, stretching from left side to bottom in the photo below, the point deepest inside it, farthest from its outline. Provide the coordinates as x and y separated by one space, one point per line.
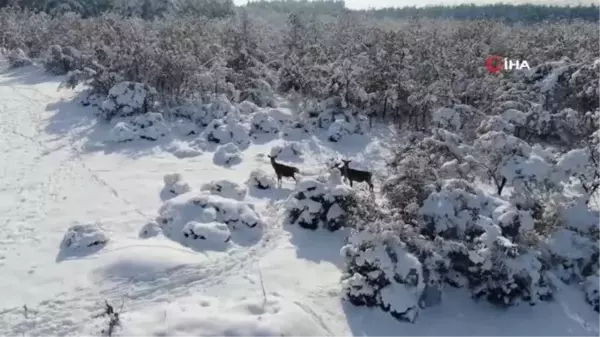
56 174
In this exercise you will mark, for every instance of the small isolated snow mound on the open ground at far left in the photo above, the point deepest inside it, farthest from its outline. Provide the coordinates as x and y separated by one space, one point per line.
83 239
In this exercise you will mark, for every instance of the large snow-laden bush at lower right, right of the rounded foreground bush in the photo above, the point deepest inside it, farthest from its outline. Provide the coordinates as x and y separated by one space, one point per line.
481 237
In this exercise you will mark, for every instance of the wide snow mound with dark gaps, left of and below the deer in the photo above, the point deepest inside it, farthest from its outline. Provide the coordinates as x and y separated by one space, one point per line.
240 217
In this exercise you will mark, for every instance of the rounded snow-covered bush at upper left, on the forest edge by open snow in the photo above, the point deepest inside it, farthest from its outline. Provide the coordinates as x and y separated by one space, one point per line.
128 99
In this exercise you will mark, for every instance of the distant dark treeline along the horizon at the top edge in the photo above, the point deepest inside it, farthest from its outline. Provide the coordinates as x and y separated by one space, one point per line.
528 13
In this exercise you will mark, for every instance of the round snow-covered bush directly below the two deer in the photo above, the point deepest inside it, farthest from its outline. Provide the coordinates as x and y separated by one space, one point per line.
315 204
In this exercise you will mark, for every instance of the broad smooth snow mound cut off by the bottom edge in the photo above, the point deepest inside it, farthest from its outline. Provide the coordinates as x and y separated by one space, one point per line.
208 317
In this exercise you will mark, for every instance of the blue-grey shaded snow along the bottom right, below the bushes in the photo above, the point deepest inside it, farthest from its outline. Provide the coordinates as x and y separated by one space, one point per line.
459 315
